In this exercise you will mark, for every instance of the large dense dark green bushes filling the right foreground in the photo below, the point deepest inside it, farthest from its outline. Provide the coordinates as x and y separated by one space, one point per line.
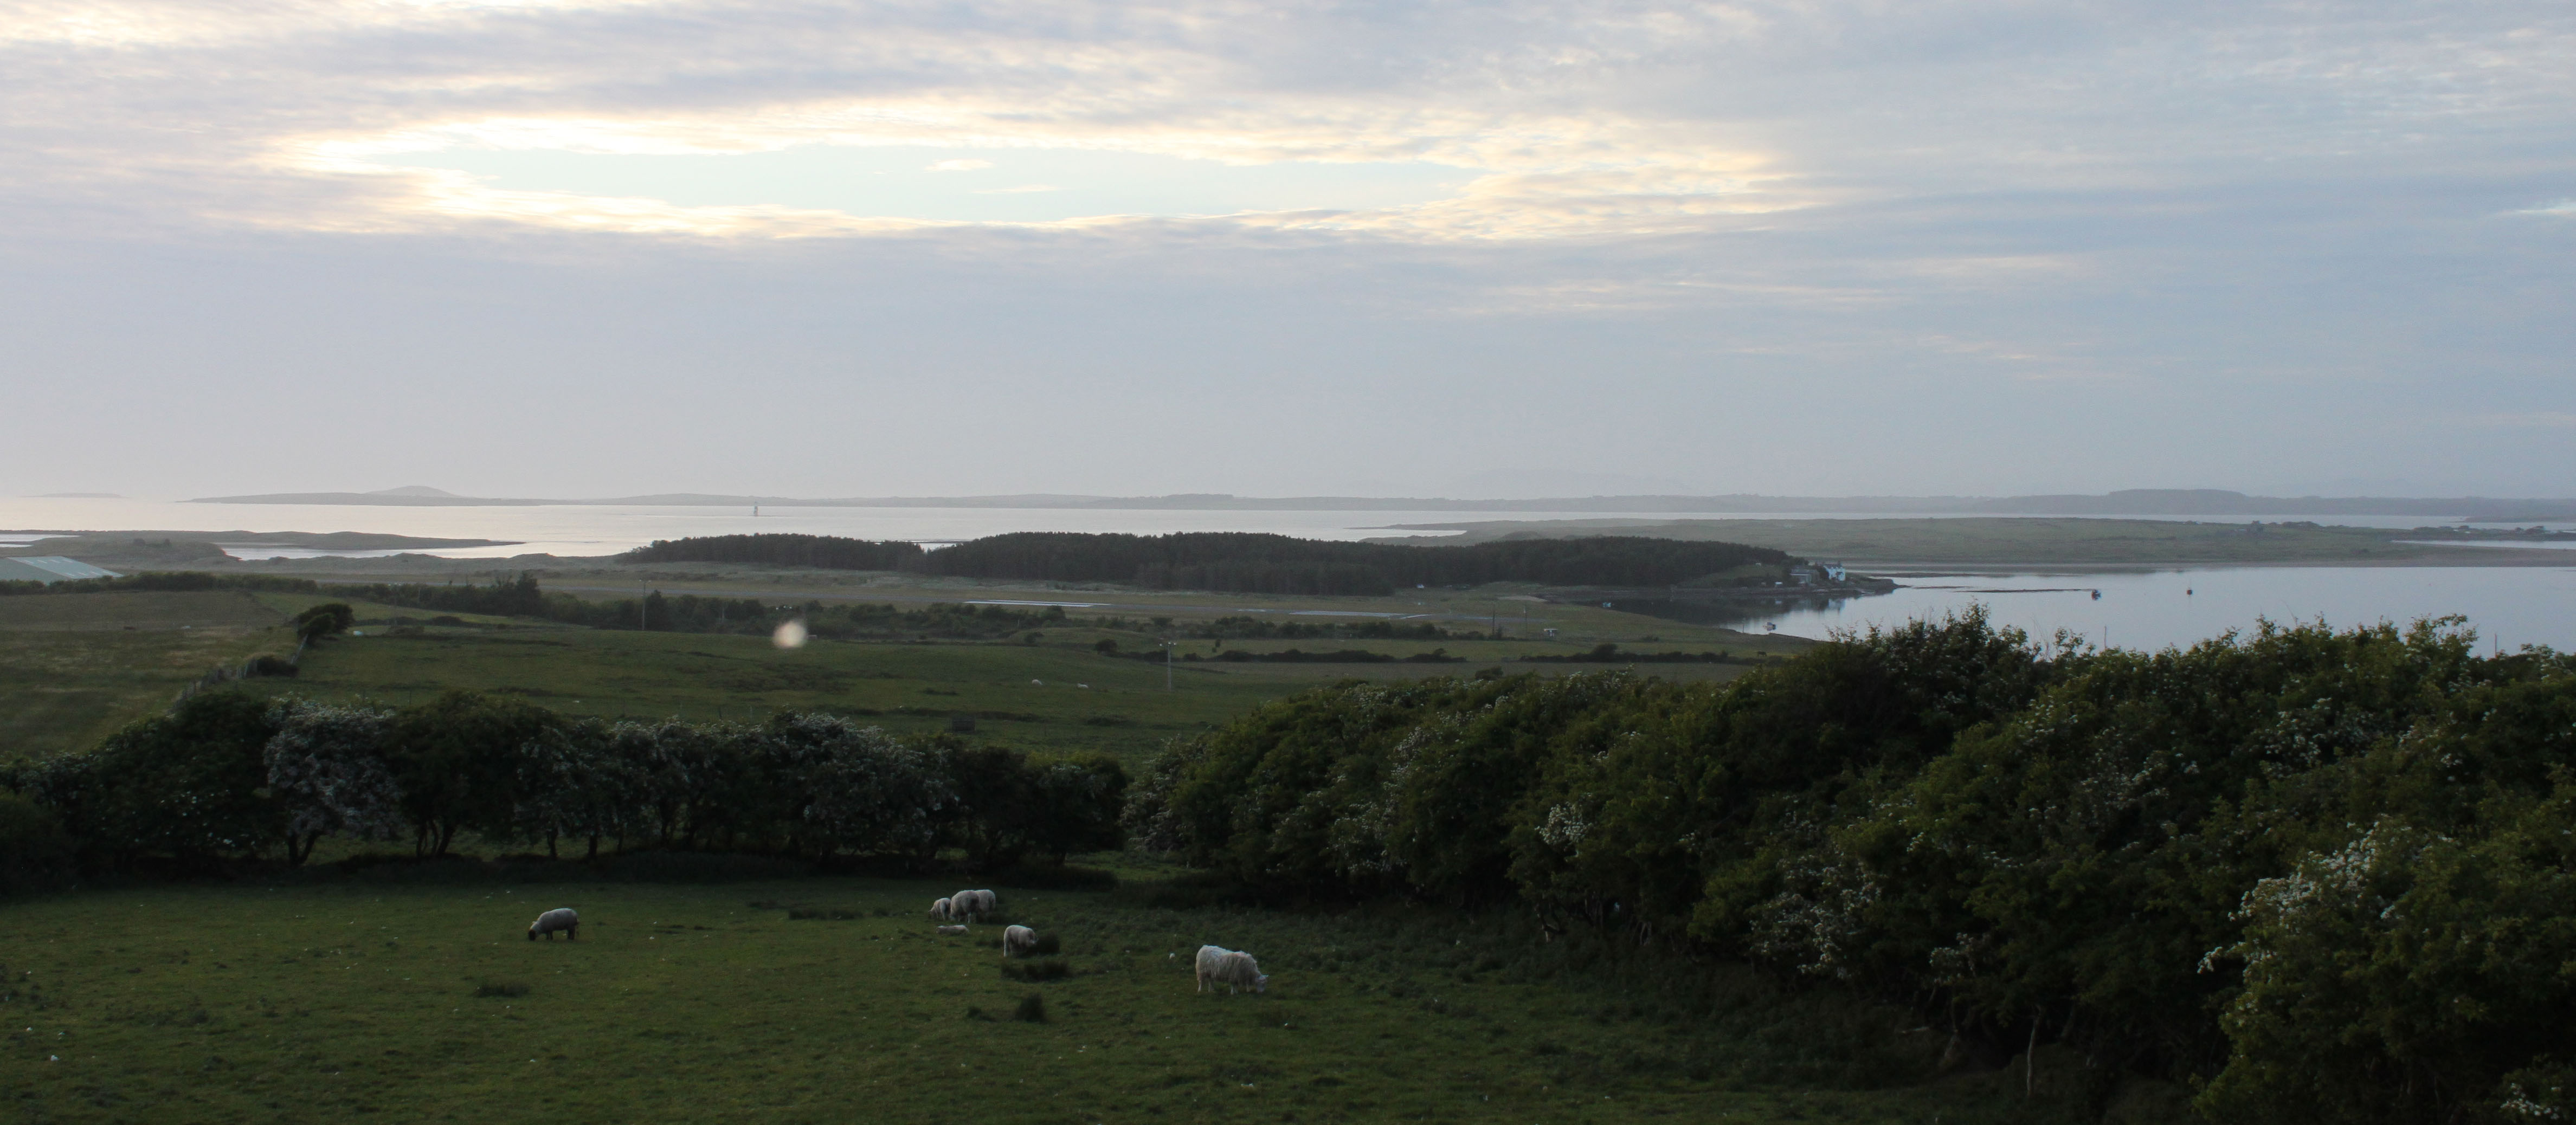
2325 877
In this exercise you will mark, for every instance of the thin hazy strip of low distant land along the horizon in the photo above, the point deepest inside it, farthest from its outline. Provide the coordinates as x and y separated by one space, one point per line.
2217 503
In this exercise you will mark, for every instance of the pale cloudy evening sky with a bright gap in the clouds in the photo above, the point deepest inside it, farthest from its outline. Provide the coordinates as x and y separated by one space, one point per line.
1294 248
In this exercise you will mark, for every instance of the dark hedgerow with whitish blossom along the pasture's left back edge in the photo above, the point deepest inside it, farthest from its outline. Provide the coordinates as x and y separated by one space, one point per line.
231 776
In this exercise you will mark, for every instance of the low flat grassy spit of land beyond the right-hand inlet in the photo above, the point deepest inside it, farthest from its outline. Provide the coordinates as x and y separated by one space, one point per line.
2044 542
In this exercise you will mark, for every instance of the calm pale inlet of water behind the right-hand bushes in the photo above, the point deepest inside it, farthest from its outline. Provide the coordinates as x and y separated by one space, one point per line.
2508 606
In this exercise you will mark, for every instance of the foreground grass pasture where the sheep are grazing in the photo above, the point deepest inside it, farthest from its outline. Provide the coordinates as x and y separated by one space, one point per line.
383 1000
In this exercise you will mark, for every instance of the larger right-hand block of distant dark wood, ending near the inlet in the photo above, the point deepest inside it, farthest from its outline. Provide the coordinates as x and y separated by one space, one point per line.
1282 565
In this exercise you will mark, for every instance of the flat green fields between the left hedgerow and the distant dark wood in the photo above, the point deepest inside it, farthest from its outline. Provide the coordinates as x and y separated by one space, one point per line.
73 668
